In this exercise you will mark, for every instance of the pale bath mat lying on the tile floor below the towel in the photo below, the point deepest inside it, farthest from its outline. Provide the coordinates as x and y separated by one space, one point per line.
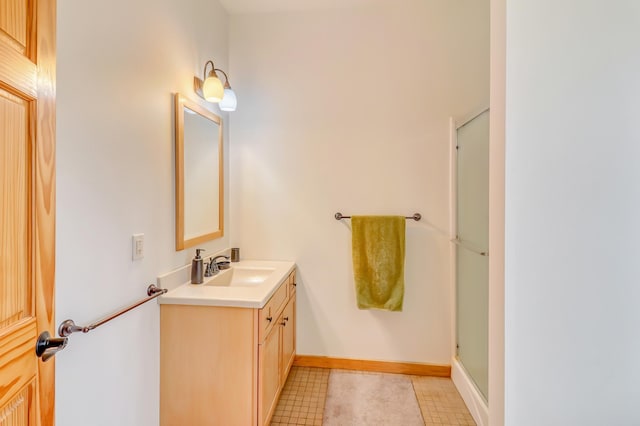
371 399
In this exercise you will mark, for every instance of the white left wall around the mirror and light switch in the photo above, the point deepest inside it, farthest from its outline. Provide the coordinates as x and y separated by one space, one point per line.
118 64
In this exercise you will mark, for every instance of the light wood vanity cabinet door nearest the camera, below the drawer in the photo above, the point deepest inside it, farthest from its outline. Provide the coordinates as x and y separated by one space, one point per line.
269 380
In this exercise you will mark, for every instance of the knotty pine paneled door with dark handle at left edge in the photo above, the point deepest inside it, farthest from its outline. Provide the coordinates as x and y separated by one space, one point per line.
27 208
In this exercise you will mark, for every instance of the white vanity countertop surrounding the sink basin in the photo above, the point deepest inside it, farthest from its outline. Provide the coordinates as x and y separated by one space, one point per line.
245 297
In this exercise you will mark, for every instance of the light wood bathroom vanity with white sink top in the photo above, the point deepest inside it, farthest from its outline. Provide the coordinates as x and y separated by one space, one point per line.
226 346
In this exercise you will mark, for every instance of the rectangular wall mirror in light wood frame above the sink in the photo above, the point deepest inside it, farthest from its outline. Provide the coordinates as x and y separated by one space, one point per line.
199 174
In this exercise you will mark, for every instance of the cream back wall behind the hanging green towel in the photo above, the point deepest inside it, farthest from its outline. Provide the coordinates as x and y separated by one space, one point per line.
347 110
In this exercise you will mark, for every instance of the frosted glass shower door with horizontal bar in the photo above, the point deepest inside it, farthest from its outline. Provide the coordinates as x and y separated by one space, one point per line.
472 256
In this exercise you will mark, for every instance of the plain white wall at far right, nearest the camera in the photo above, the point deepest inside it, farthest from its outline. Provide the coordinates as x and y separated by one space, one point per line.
572 207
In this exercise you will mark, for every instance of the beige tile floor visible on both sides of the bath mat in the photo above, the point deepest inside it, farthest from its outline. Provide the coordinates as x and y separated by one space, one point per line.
303 398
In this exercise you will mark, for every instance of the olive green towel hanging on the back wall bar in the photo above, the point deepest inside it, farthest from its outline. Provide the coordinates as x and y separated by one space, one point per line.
378 261
